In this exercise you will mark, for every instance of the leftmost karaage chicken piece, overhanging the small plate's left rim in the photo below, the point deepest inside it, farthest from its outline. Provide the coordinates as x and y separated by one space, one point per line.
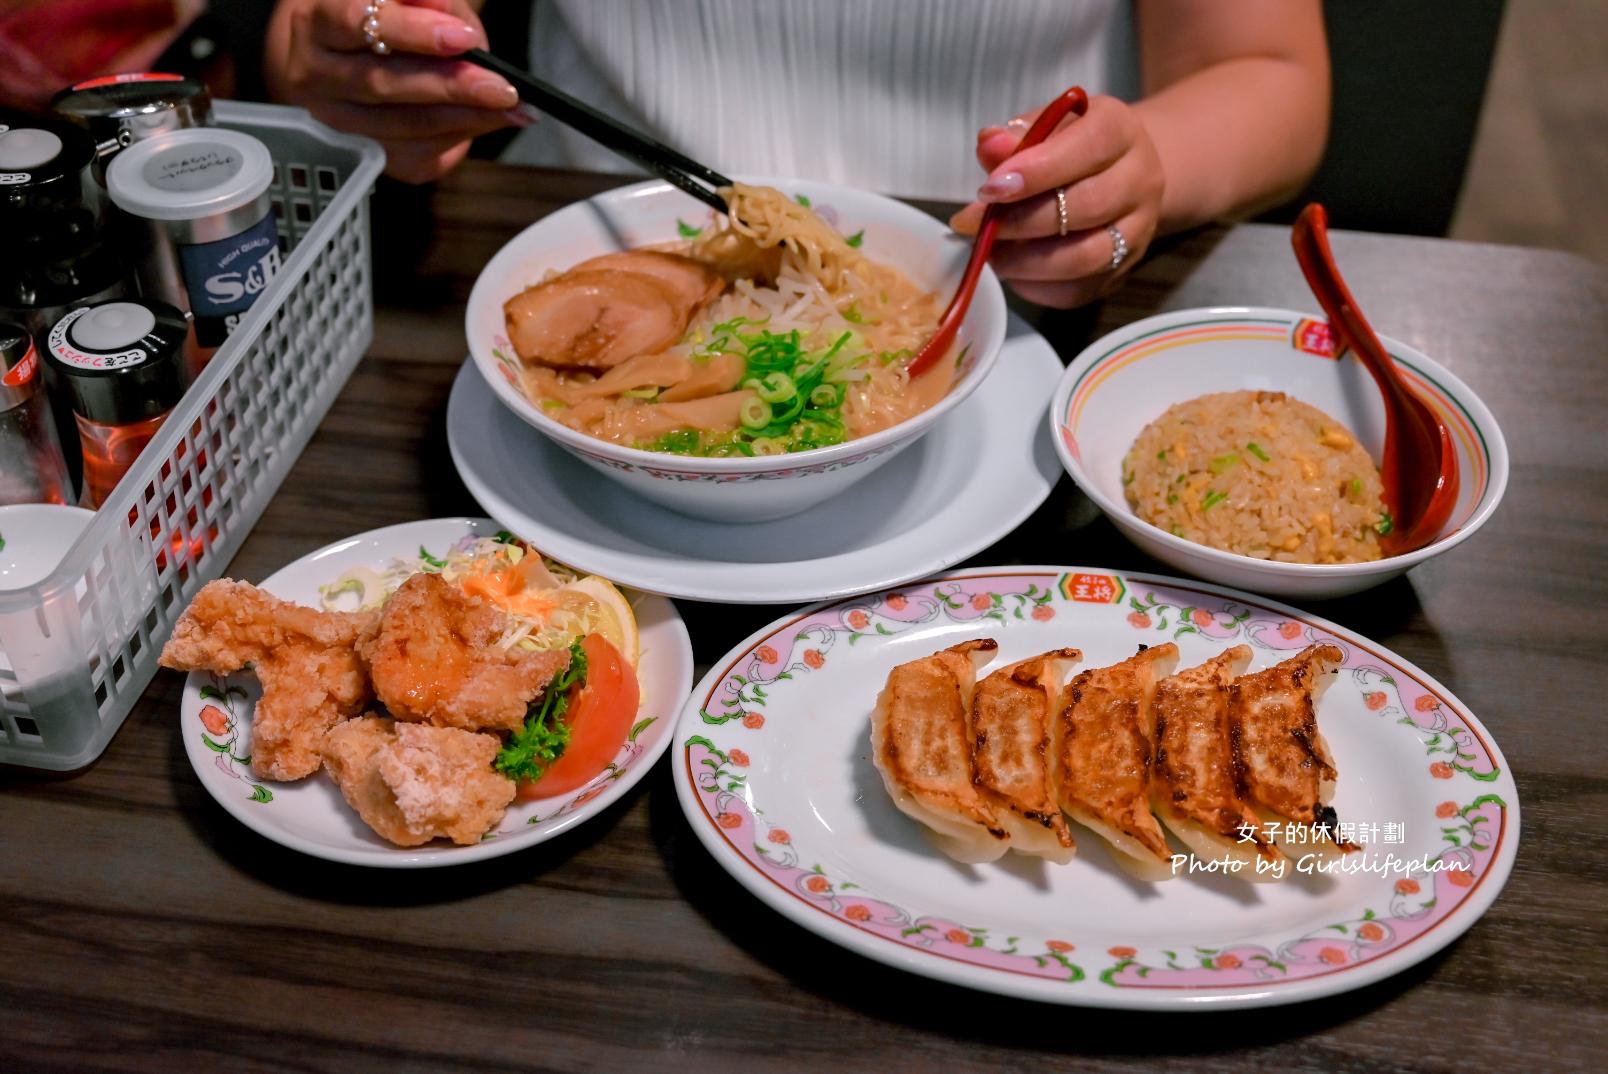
305 658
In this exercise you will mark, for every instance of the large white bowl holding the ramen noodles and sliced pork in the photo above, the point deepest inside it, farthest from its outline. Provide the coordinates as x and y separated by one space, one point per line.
745 490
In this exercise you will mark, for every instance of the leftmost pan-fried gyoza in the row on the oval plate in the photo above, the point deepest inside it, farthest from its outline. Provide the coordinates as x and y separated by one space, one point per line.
922 745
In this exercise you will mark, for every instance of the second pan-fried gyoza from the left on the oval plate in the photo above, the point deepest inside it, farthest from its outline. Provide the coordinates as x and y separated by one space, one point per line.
1011 732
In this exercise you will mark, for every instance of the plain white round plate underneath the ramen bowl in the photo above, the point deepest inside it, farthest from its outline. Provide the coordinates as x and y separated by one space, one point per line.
972 480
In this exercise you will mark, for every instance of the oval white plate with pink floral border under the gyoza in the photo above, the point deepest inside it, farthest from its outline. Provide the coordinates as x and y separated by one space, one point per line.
773 768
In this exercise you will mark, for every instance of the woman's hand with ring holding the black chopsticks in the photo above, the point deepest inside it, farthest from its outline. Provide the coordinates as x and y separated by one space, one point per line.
417 102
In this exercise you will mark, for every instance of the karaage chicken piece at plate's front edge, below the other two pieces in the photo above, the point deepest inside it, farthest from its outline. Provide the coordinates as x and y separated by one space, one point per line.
412 782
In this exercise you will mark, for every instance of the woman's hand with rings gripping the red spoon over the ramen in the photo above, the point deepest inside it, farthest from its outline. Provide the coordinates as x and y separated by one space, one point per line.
1112 176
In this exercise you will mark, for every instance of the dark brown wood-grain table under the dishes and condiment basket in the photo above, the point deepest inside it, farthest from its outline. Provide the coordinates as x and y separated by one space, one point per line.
142 928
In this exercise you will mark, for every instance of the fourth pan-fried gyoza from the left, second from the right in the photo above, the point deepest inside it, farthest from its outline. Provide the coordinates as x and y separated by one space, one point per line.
1192 782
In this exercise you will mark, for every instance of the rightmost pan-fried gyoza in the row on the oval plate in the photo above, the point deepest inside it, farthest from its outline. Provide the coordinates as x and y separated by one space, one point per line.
1284 761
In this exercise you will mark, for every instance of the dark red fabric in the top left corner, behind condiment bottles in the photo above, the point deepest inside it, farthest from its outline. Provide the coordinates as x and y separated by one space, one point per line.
54 44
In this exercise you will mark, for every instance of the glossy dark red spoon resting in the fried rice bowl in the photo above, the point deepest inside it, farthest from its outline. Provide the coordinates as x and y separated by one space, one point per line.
1419 467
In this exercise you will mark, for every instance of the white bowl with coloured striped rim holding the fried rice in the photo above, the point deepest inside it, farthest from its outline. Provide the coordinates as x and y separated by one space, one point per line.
1126 380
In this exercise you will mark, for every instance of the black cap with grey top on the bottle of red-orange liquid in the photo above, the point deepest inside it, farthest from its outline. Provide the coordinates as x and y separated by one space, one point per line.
120 363
